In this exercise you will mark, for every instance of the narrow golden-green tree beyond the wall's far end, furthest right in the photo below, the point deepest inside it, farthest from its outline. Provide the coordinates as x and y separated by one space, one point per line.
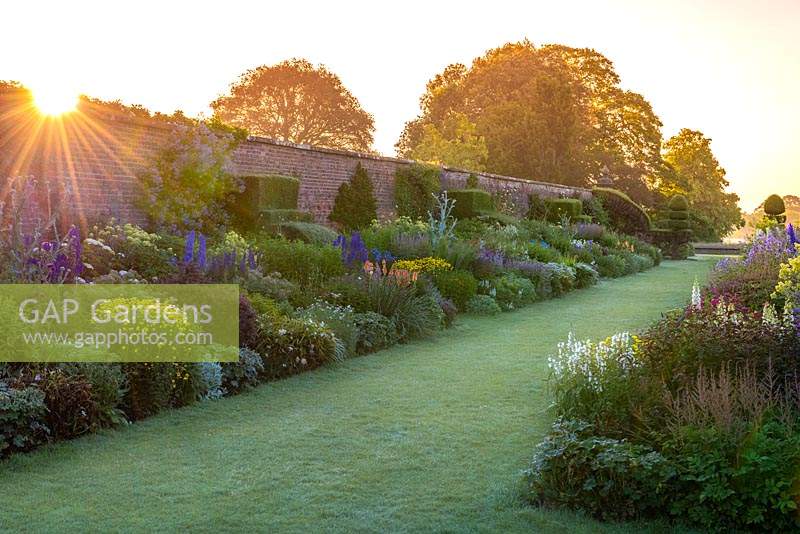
695 172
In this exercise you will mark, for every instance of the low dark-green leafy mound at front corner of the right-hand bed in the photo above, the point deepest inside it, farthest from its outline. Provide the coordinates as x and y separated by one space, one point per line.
607 478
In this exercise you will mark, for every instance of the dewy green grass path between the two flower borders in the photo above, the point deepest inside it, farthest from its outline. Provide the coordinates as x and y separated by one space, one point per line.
429 436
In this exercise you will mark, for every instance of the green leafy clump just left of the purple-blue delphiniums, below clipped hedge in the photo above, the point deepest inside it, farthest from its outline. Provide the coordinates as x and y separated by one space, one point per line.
298 262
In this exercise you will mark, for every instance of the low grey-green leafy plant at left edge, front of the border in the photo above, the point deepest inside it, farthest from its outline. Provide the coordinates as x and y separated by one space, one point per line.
22 413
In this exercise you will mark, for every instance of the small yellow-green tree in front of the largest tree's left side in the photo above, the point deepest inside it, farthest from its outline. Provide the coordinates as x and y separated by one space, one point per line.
456 145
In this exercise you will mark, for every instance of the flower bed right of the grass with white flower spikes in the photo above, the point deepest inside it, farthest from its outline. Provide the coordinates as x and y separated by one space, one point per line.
697 419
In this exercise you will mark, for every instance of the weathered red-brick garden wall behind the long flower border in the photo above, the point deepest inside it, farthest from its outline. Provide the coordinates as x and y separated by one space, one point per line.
100 156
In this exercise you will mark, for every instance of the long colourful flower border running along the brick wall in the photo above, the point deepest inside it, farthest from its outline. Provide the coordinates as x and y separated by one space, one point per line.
303 305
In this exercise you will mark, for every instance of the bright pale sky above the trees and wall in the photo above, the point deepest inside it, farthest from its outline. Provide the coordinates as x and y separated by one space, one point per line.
730 68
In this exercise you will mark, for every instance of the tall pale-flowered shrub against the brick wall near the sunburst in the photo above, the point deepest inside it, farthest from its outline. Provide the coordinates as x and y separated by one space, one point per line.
188 183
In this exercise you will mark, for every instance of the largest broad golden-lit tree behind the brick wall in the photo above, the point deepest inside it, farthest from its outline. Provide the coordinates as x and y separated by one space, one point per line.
554 113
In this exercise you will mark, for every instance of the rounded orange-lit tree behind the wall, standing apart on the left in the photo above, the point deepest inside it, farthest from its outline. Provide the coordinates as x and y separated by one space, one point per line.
297 102
